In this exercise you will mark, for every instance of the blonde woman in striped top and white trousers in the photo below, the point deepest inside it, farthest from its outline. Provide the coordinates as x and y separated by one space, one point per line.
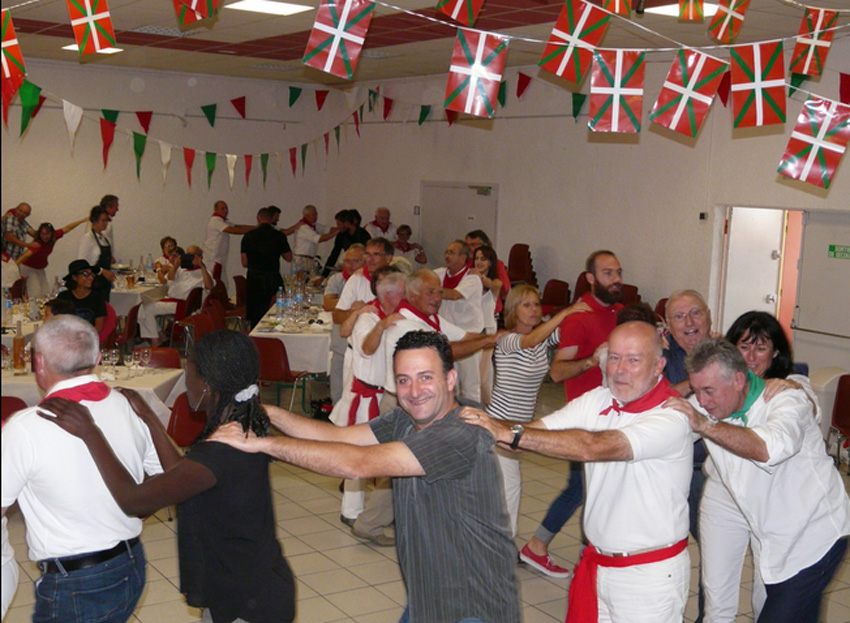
522 362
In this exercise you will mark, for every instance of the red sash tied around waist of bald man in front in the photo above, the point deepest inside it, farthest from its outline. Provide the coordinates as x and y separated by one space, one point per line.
583 606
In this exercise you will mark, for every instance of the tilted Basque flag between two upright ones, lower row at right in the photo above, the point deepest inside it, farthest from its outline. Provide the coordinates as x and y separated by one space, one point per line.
688 92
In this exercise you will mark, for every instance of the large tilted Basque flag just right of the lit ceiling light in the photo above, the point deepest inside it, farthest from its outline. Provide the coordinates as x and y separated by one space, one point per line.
338 35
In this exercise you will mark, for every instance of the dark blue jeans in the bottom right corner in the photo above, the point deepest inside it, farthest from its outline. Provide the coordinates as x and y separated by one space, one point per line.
798 599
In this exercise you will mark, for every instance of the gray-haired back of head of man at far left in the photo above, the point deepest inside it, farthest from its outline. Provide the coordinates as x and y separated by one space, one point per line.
69 345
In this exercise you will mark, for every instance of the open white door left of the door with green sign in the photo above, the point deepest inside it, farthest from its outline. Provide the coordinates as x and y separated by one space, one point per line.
753 262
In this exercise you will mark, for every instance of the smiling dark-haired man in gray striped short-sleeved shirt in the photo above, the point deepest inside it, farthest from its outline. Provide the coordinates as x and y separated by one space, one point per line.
452 533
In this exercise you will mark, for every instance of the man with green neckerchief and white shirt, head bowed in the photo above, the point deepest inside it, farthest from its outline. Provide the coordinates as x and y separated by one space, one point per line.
770 482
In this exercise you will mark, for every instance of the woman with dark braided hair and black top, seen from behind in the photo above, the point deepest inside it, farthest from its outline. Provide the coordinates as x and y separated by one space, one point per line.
231 563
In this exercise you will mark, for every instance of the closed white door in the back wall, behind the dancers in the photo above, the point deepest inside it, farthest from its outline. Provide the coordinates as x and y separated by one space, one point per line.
451 209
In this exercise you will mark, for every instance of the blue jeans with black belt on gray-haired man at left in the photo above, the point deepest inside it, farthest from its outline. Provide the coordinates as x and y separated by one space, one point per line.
105 593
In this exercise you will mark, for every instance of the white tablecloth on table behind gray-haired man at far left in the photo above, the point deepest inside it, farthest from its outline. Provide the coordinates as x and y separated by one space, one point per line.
160 387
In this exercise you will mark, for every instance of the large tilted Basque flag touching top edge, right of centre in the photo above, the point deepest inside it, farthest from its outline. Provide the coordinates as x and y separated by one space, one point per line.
576 34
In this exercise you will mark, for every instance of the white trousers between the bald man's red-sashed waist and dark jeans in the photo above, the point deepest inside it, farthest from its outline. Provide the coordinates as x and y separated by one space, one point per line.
724 535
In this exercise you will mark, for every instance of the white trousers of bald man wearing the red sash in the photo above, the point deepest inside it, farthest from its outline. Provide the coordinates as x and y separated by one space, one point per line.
653 593
